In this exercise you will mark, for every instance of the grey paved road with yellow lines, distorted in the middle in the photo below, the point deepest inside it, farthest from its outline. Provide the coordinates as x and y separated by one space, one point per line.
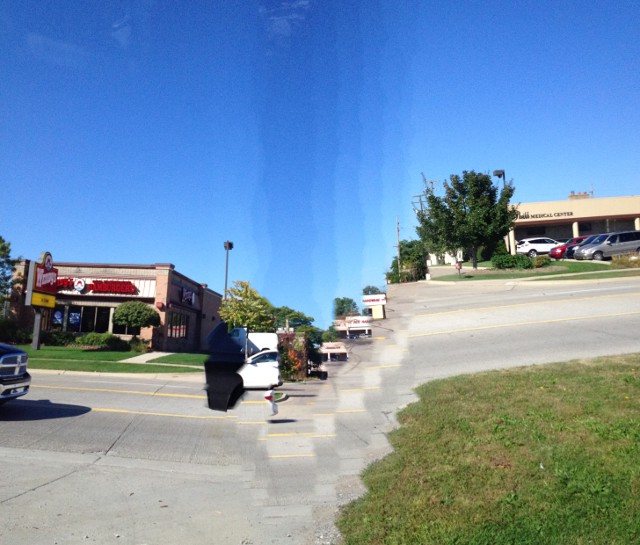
137 460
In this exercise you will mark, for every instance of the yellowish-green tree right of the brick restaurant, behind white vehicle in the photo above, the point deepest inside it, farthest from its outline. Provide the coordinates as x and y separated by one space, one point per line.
245 307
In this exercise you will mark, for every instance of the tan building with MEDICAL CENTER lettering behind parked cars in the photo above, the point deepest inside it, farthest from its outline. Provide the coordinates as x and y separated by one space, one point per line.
580 214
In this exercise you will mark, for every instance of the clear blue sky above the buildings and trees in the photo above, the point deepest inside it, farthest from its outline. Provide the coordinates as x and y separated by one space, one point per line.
147 131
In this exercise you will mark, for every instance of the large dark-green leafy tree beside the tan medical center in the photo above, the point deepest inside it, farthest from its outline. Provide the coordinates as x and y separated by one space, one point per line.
472 213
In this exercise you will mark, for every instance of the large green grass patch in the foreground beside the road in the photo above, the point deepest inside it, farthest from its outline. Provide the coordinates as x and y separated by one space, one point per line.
541 455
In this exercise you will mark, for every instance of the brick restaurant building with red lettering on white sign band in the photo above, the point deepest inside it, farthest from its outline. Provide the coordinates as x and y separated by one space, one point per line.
89 293
